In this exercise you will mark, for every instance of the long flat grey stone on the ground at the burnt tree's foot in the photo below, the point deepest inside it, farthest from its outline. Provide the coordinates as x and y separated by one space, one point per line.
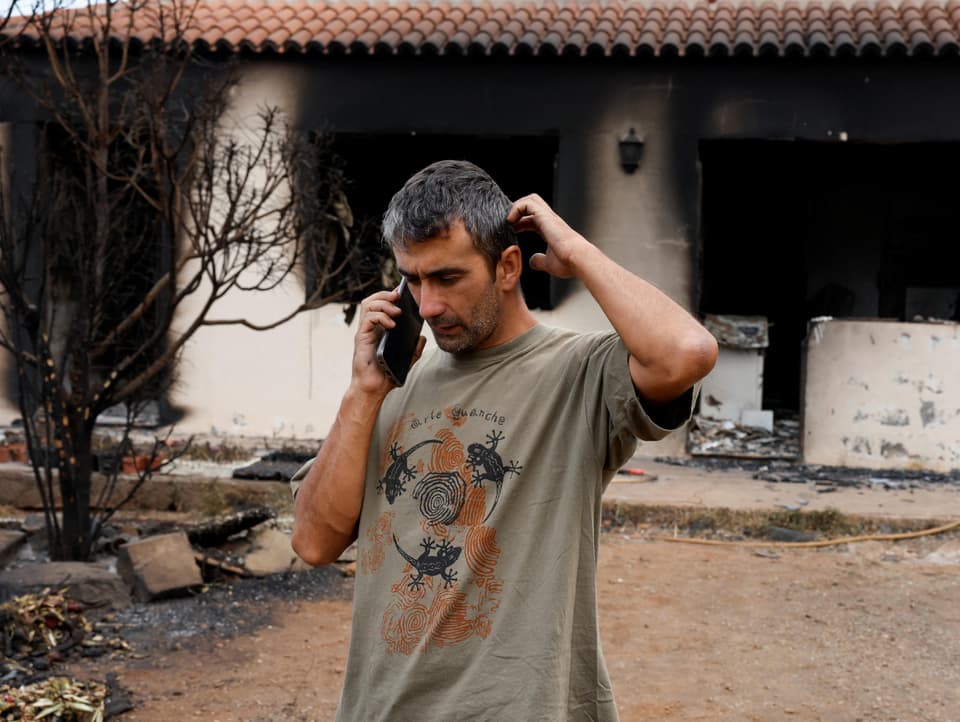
90 584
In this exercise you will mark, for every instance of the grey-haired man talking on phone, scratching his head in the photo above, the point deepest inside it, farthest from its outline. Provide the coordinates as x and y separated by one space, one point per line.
474 491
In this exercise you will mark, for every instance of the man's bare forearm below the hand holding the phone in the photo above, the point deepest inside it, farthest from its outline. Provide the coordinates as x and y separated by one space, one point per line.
328 502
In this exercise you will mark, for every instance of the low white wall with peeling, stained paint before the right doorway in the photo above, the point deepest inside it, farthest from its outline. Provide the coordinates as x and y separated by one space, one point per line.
882 395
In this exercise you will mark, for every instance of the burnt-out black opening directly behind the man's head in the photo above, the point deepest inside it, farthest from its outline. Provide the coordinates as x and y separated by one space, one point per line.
377 166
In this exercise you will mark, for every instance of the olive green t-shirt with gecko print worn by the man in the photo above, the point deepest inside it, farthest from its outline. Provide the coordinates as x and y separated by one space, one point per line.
475 594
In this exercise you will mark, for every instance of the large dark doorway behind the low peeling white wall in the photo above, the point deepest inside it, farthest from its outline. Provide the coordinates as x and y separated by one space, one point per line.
796 230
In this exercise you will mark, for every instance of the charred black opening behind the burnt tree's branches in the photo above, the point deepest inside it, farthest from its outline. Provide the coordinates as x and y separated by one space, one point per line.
100 272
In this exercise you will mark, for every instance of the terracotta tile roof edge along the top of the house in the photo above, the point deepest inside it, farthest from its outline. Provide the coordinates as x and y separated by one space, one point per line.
552 27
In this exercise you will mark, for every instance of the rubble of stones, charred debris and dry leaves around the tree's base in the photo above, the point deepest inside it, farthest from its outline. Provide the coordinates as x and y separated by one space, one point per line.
158 562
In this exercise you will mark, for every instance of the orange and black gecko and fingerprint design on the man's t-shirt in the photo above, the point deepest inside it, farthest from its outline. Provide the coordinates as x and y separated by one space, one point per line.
444 590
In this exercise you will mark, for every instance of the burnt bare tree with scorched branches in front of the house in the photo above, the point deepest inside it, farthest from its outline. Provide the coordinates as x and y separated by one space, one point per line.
148 206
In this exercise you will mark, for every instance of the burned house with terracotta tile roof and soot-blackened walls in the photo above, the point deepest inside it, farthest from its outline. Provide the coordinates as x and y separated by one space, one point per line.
770 160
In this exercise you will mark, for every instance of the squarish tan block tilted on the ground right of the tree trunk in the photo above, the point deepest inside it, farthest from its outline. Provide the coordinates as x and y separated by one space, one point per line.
159 566
